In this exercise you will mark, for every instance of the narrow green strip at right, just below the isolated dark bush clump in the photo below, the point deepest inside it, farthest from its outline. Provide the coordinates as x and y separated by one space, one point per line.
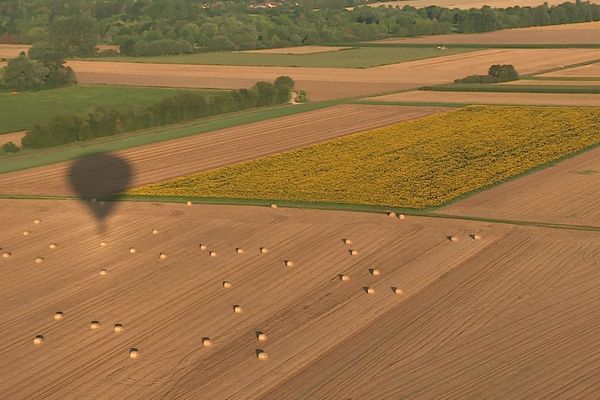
483 87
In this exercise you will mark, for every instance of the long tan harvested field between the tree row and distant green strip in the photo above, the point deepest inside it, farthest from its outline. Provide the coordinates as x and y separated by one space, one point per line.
328 83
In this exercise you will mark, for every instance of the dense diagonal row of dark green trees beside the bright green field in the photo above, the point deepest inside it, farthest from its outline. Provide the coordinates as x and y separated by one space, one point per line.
187 106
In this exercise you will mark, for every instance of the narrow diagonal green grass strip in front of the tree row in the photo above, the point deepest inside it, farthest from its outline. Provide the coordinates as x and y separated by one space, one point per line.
33 158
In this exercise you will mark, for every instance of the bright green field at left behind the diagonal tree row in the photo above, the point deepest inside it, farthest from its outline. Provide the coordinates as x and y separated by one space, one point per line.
22 111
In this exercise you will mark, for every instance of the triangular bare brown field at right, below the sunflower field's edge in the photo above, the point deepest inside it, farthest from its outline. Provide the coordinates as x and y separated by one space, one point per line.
568 192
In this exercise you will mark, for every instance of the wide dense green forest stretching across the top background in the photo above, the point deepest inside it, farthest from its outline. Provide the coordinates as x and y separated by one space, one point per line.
153 27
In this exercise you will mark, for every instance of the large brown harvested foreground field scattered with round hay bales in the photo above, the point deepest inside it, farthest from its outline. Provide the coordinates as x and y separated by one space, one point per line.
522 301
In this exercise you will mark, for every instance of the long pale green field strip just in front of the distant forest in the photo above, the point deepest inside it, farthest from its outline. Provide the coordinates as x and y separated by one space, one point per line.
357 57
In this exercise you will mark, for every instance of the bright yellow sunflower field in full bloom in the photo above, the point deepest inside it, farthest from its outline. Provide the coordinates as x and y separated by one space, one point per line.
414 164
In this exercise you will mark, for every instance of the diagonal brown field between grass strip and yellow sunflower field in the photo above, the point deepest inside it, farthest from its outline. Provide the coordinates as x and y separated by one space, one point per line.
164 160
